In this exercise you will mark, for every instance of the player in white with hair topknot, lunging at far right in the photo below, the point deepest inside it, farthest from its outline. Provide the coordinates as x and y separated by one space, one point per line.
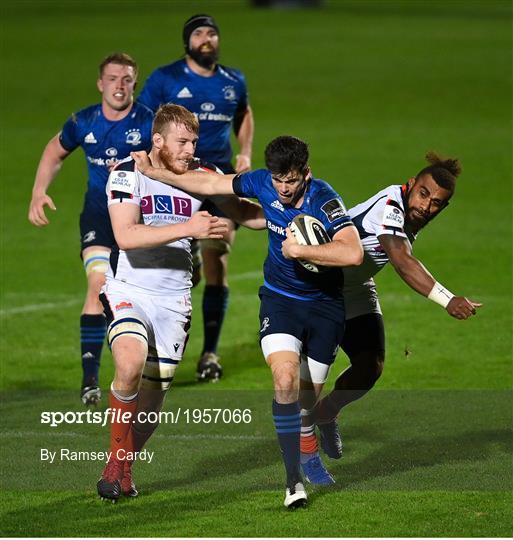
388 223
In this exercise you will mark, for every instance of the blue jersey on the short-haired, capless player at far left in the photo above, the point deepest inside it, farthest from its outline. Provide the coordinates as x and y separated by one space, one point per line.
104 143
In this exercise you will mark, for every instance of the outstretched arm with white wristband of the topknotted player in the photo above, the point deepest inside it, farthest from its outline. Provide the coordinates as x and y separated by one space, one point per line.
415 274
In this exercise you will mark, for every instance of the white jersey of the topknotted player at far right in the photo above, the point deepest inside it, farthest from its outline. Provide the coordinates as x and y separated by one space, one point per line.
383 213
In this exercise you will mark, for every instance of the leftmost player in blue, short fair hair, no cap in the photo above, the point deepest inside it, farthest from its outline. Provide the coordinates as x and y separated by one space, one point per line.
107 133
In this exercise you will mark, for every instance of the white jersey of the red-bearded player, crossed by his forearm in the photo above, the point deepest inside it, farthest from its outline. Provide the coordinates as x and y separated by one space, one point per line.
163 270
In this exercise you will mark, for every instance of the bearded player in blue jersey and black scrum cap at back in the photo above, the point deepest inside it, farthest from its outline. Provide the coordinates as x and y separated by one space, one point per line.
217 95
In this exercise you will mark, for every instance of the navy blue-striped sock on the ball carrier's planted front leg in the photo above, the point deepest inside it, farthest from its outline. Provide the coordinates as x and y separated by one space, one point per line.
287 421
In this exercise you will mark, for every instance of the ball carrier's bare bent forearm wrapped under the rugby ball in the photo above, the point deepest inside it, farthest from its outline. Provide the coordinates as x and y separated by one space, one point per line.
345 249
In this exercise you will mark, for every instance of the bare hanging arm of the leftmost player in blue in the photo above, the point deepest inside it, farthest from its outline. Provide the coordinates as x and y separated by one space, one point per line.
49 165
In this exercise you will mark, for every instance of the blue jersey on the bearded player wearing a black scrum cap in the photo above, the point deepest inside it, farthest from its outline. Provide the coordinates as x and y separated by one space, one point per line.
214 100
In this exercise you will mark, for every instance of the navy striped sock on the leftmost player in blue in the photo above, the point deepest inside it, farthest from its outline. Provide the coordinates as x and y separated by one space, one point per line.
92 335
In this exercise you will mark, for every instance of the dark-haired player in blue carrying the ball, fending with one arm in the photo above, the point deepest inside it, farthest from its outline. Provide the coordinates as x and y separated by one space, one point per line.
301 313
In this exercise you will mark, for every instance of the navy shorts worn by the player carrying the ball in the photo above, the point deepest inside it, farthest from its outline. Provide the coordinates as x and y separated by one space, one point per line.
319 325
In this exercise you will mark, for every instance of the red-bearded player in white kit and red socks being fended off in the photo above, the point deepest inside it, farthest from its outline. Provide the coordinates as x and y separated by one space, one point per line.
146 296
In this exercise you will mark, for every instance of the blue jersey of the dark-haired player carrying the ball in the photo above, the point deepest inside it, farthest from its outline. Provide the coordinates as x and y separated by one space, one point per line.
321 201
